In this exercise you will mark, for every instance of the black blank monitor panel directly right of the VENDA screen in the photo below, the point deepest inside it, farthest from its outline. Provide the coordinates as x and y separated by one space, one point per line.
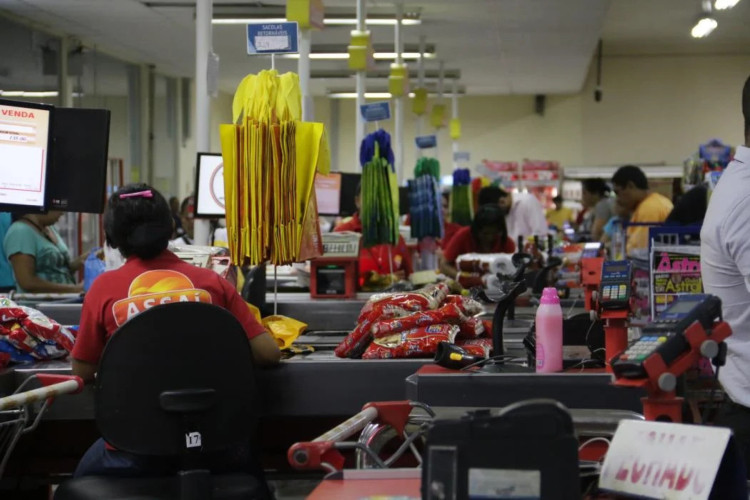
78 171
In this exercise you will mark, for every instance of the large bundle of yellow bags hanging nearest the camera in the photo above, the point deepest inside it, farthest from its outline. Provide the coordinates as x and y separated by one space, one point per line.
270 161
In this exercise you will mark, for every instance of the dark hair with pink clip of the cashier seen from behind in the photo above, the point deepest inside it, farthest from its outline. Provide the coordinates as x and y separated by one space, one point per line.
138 225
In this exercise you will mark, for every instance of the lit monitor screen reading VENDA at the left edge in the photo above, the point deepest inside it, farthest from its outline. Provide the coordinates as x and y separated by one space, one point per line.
25 140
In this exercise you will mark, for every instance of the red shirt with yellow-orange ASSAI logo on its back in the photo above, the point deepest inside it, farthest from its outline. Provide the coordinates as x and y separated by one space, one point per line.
116 296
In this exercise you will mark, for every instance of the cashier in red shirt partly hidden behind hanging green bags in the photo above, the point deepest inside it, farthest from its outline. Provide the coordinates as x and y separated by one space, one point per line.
375 259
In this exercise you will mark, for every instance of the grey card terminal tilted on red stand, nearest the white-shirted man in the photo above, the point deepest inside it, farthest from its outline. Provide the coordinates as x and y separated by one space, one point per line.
665 336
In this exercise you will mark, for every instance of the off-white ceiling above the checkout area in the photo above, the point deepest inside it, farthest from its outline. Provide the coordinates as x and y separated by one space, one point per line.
499 46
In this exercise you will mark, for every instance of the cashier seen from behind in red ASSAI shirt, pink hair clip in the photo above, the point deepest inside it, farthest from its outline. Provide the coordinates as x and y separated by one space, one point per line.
139 223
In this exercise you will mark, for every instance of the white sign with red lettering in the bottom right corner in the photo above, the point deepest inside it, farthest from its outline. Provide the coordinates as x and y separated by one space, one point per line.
664 460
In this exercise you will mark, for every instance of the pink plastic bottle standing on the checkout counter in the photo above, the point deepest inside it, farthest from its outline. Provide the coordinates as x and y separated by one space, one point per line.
549 333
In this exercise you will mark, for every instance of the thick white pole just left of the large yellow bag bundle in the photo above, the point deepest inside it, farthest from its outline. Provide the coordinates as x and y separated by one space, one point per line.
203 15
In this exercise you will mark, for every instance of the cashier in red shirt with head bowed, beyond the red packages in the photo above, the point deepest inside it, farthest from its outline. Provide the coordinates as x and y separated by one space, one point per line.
487 234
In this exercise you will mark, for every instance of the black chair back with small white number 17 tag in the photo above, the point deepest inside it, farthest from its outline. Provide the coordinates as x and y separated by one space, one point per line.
175 380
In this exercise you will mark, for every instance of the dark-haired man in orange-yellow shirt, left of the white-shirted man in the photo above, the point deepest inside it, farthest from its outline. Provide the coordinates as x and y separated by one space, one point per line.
633 193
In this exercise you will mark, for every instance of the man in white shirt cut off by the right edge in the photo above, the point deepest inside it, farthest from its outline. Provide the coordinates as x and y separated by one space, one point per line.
725 269
